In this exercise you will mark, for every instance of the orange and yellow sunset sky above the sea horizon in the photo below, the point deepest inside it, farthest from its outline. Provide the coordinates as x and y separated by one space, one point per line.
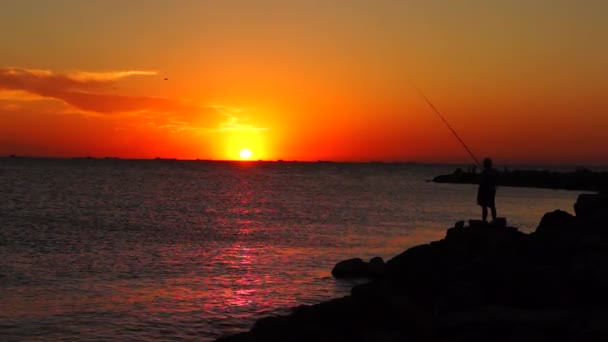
520 80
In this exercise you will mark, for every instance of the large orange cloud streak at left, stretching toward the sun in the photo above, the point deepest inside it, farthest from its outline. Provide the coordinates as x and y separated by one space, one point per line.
86 92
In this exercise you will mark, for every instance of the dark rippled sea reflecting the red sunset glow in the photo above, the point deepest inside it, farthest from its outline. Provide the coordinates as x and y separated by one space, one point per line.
164 250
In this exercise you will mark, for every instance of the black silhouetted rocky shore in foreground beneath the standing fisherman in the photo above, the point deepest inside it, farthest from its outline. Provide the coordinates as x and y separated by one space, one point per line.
482 282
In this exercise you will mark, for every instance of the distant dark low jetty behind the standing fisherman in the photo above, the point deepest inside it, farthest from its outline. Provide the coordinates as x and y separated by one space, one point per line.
581 179
